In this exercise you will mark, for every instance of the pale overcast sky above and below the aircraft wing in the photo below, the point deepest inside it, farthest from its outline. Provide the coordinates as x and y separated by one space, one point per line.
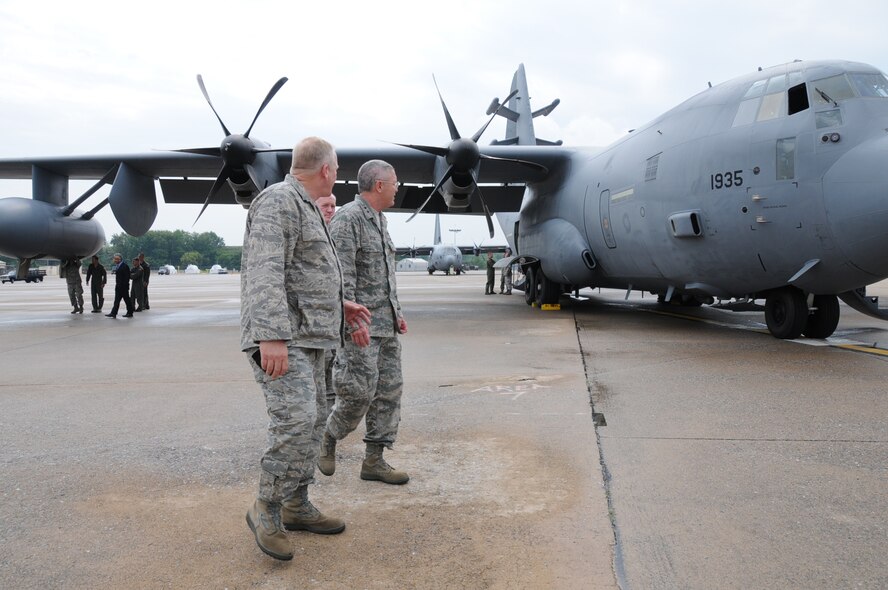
98 77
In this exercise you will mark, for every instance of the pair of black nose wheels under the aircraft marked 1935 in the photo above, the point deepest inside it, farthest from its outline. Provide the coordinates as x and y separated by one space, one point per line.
788 315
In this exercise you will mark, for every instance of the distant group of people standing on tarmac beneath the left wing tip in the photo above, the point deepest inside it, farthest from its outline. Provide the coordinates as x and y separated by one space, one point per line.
130 286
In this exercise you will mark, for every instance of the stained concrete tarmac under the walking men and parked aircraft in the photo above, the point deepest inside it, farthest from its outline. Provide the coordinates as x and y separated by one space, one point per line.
129 449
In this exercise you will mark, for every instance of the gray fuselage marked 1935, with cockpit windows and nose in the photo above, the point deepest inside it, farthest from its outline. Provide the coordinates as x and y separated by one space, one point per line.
750 186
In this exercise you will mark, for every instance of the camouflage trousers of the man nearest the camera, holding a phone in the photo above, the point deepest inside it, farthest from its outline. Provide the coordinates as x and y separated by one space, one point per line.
296 406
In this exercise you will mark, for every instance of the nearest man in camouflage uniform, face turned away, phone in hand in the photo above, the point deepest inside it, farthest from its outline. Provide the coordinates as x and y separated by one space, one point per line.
292 310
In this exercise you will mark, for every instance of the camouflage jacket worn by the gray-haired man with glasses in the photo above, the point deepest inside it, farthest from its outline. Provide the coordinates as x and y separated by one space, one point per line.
367 256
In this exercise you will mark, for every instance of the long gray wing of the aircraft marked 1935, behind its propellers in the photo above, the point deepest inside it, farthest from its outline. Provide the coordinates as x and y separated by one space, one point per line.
188 177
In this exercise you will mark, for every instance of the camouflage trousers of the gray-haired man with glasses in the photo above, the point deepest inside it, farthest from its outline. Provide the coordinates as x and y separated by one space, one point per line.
368 383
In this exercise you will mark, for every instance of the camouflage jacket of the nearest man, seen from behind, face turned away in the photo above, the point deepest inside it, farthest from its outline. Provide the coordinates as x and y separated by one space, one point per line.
291 284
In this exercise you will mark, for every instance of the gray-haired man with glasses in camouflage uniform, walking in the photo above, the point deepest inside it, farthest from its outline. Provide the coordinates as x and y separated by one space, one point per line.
368 381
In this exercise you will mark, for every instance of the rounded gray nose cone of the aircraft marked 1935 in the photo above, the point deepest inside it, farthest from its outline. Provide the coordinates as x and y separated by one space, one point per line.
855 191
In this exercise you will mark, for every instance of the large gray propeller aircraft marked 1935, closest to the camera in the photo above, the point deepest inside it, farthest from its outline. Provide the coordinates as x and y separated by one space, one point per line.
770 186
